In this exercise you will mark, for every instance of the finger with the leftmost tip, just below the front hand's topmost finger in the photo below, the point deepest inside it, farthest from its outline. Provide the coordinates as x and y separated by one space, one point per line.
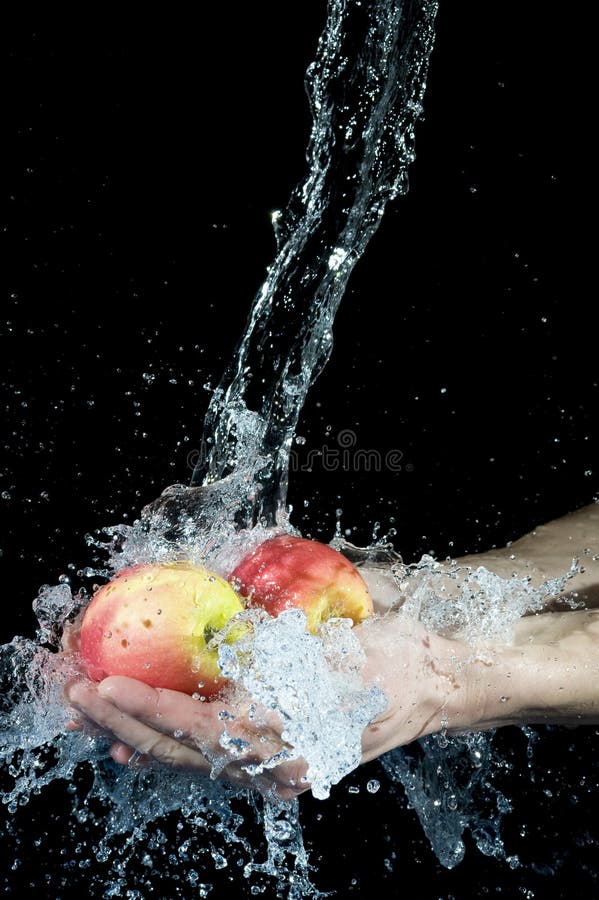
130 731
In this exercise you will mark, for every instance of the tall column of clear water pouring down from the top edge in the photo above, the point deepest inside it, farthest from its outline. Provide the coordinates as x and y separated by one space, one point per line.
365 89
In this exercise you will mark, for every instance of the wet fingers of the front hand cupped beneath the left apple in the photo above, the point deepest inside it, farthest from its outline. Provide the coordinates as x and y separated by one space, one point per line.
236 739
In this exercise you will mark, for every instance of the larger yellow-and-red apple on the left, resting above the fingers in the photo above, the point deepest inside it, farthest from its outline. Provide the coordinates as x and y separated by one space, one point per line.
152 623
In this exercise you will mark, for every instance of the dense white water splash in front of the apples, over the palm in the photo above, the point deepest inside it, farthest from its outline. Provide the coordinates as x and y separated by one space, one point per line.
314 685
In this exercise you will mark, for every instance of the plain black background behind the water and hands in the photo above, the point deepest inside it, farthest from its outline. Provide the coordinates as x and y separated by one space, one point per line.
142 162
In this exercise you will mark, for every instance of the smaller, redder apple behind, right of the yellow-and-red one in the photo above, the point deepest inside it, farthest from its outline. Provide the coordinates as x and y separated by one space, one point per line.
287 571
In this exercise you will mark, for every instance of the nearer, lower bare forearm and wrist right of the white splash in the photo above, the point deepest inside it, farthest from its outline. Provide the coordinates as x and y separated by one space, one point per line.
549 674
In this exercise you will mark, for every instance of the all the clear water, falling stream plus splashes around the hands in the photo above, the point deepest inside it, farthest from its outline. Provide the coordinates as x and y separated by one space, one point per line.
366 89
